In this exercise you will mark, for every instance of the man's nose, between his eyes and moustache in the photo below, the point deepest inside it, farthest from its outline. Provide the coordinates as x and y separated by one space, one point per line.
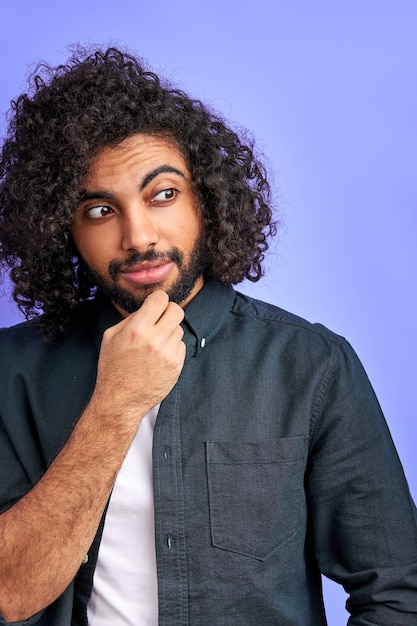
139 232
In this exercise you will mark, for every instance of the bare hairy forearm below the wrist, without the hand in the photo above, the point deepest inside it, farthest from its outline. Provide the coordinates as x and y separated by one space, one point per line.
45 535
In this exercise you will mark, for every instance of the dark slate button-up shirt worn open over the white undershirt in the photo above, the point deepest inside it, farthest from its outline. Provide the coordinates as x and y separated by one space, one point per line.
272 465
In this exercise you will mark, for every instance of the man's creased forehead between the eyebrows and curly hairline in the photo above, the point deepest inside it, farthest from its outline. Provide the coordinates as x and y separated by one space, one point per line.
140 152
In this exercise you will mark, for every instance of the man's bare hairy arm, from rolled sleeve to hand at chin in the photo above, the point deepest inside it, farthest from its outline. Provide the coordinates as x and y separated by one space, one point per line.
55 523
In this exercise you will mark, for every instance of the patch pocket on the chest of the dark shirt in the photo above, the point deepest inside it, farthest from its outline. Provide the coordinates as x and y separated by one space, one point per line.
255 494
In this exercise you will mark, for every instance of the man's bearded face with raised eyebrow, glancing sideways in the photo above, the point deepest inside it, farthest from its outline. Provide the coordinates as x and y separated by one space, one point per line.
137 226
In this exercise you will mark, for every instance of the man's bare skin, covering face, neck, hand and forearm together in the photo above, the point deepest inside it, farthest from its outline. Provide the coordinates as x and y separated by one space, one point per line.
37 564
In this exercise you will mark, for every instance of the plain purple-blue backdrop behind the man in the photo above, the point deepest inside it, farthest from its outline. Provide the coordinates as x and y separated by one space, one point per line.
330 91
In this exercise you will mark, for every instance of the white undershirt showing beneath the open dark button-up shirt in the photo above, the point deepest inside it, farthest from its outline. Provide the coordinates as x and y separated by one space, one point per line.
125 589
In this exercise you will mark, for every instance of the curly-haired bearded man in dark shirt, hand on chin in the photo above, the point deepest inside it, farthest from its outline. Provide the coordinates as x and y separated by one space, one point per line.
173 452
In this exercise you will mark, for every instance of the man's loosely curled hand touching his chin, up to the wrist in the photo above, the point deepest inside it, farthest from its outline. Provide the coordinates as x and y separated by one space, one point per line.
140 359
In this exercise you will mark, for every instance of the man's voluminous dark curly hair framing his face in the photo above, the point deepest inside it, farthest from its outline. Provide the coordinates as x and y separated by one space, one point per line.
98 99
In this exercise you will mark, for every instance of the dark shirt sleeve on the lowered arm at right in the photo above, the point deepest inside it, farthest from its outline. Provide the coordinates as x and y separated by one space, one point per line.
363 519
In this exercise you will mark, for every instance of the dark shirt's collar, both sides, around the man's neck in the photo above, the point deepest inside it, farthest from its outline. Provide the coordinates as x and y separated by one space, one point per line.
204 315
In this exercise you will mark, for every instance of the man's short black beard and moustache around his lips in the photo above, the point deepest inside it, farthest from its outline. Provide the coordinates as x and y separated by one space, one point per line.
189 273
